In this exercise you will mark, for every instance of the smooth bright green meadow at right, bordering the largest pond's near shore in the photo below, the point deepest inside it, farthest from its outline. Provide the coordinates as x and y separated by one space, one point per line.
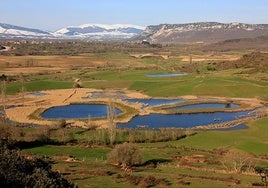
253 140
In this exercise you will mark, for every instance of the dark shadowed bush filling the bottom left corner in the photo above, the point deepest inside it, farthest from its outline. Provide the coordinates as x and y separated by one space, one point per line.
21 170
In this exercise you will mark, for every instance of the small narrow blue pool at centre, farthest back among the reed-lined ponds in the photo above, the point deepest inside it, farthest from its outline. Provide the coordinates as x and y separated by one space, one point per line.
155 102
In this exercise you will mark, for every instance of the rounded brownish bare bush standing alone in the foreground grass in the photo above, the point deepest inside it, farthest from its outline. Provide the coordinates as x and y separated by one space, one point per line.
125 155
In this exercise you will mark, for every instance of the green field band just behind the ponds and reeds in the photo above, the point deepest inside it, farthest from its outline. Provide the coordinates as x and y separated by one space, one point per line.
192 84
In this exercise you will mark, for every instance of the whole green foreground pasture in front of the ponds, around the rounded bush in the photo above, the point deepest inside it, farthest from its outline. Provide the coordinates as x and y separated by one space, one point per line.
94 159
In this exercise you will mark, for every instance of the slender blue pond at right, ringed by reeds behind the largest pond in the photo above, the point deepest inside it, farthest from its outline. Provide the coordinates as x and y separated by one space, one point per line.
204 105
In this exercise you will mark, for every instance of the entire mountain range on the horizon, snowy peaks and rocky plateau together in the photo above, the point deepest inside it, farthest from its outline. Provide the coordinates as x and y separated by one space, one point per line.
200 32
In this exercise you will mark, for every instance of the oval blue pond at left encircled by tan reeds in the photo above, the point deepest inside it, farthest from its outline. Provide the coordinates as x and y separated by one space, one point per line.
74 111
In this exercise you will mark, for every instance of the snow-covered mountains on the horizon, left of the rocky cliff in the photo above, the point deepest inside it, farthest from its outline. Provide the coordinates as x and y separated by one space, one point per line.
86 31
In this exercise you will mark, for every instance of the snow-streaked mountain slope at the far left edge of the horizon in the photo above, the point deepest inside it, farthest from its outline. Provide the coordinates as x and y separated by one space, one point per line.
11 31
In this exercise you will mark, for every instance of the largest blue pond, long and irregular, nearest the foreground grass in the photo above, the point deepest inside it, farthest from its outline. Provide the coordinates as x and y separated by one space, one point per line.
182 120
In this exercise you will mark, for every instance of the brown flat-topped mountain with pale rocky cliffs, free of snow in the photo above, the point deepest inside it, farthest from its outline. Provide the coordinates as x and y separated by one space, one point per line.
201 32
